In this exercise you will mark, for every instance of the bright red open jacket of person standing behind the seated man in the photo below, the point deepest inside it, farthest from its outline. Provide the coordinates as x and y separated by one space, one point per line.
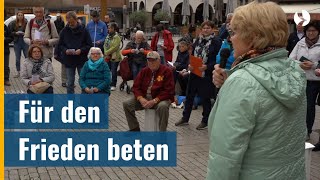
168 42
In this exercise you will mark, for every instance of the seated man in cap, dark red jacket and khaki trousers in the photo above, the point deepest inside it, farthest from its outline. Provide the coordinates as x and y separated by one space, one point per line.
153 88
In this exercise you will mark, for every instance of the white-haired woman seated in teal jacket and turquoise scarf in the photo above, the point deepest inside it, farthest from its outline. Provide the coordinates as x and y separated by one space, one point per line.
95 74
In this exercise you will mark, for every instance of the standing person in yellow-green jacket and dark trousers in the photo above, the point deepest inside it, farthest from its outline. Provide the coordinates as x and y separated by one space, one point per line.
112 52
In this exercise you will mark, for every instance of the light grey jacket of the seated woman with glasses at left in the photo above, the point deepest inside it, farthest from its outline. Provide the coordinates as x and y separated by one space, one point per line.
26 71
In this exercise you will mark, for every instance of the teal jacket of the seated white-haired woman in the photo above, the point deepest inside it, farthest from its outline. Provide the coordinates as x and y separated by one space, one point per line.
100 78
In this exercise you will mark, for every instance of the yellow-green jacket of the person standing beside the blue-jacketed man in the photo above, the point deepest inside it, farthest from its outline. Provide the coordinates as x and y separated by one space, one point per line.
112 47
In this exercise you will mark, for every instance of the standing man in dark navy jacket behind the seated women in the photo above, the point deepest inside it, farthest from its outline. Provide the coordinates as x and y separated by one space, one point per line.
74 43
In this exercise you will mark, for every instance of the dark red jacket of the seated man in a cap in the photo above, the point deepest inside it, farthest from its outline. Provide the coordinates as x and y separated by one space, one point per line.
163 84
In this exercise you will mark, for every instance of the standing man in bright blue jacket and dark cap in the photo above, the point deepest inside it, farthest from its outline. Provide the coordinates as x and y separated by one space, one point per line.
98 30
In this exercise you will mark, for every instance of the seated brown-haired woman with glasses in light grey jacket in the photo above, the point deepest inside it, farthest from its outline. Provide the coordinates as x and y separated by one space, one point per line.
37 72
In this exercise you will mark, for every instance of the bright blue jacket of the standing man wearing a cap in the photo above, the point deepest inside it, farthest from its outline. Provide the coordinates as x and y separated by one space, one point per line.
98 31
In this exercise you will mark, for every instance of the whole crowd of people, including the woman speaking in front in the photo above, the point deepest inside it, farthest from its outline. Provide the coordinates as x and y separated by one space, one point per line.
253 104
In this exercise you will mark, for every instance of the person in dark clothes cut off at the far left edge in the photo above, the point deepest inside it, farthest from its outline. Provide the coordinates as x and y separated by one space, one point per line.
7 39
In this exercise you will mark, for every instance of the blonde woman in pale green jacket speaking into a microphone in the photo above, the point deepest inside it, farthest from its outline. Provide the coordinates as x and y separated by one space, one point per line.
257 125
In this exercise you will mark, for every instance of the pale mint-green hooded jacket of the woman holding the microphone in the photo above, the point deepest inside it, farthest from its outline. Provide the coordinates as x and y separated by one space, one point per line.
257 126
